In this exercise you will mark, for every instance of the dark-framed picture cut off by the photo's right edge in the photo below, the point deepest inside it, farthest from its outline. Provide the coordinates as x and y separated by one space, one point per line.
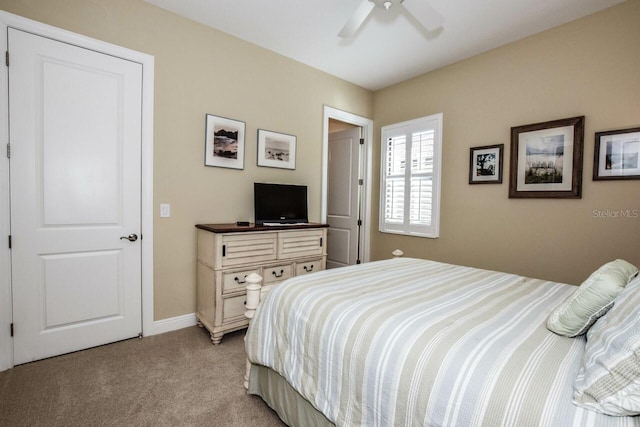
616 155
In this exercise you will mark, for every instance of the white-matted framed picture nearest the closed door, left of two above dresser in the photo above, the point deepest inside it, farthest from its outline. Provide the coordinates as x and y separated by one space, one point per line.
224 142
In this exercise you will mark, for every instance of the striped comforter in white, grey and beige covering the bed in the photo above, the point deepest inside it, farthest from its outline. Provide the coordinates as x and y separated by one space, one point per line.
407 342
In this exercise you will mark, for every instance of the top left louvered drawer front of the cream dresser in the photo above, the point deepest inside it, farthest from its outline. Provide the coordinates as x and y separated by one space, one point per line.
248 248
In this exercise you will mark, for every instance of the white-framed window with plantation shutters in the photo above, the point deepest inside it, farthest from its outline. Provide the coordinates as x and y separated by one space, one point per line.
410 195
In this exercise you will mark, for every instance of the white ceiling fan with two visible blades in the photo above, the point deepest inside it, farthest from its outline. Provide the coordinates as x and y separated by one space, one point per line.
427 16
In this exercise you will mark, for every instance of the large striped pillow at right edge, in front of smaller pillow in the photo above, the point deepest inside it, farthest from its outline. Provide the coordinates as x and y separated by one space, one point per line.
609 379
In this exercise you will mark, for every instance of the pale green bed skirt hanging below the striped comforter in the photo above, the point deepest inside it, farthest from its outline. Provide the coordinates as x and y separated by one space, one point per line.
292 408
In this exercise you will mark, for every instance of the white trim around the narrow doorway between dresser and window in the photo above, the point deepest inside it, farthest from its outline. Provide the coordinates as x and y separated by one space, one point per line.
367 134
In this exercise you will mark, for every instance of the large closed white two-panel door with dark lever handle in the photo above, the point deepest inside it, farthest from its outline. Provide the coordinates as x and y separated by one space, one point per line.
75 132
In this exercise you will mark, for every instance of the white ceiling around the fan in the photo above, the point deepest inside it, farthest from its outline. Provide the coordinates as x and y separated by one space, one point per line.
390 46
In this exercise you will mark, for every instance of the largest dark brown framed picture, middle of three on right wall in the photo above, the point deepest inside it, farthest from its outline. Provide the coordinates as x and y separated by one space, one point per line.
546 159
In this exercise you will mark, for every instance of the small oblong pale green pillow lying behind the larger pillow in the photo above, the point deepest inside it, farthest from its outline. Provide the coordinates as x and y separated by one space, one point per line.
592 299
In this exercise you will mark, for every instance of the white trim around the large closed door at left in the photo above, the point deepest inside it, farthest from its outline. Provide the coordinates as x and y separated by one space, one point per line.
147 62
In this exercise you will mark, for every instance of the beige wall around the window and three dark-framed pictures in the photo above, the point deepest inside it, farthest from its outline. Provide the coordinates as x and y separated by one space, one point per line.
588 67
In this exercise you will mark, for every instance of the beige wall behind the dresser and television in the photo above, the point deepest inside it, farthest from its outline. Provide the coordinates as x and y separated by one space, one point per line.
199 70
